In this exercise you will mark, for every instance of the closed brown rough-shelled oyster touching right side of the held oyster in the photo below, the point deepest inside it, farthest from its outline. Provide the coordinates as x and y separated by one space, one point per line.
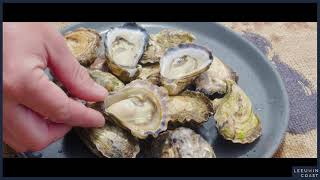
188 107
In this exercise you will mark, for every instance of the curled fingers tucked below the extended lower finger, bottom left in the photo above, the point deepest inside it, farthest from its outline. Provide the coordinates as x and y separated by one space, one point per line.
31 132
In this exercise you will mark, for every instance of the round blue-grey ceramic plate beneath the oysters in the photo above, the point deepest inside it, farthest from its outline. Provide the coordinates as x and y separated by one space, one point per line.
258 78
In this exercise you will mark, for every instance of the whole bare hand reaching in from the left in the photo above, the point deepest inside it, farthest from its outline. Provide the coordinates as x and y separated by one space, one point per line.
36 112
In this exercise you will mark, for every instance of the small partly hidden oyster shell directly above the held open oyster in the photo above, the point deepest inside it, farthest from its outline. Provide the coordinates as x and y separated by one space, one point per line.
150 73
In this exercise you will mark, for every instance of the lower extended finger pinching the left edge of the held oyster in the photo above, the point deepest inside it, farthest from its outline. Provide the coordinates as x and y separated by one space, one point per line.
43 96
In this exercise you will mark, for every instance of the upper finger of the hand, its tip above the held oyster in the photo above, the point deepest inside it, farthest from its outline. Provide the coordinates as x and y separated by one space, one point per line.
68 70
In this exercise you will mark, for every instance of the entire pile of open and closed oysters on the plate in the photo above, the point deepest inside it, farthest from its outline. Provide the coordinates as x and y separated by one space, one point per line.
162 88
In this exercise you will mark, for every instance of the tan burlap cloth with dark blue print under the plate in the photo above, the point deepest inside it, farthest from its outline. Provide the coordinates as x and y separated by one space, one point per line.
292 48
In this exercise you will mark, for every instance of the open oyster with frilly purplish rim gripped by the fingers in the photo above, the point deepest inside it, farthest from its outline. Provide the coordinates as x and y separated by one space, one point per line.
140 107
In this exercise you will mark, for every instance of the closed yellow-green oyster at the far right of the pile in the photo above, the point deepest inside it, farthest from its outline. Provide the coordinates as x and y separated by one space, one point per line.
235 119
